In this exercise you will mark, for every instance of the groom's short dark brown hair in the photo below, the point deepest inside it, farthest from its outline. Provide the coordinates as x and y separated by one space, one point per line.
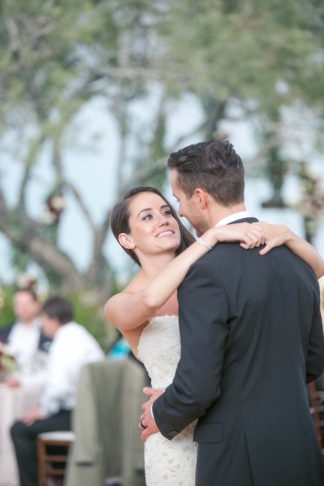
213 166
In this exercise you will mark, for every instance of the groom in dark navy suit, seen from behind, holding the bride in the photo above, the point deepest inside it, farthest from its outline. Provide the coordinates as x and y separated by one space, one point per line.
251 337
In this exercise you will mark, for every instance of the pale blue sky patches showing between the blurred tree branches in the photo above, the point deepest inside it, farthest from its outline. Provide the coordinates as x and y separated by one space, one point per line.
91 165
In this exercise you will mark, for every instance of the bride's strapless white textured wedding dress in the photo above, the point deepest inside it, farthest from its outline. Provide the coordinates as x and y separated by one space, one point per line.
167 463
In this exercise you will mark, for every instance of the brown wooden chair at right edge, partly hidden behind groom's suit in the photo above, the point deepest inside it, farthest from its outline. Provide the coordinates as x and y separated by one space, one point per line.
316 395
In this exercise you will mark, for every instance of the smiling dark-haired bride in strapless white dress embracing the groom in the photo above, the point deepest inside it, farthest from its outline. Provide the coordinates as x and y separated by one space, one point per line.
145 312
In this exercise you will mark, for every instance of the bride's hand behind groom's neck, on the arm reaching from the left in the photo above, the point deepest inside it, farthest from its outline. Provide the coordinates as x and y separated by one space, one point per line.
250 235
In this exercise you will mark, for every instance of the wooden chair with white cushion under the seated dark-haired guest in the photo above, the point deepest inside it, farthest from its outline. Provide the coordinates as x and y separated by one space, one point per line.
47 460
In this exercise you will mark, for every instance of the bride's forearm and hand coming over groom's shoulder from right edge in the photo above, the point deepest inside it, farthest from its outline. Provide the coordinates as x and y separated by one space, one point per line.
277 235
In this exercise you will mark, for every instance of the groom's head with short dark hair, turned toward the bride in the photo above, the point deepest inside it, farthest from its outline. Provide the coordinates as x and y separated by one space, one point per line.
208 181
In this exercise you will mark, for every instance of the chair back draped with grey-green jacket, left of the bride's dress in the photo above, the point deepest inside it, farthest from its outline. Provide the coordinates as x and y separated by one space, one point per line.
107 443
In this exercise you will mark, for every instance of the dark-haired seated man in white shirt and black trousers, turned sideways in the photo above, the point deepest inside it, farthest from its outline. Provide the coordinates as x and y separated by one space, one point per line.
72 348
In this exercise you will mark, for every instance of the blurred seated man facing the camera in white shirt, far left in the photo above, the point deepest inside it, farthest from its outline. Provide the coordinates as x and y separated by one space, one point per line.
25 339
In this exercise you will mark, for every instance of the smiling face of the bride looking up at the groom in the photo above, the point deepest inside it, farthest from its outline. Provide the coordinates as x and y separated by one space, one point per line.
153 229
